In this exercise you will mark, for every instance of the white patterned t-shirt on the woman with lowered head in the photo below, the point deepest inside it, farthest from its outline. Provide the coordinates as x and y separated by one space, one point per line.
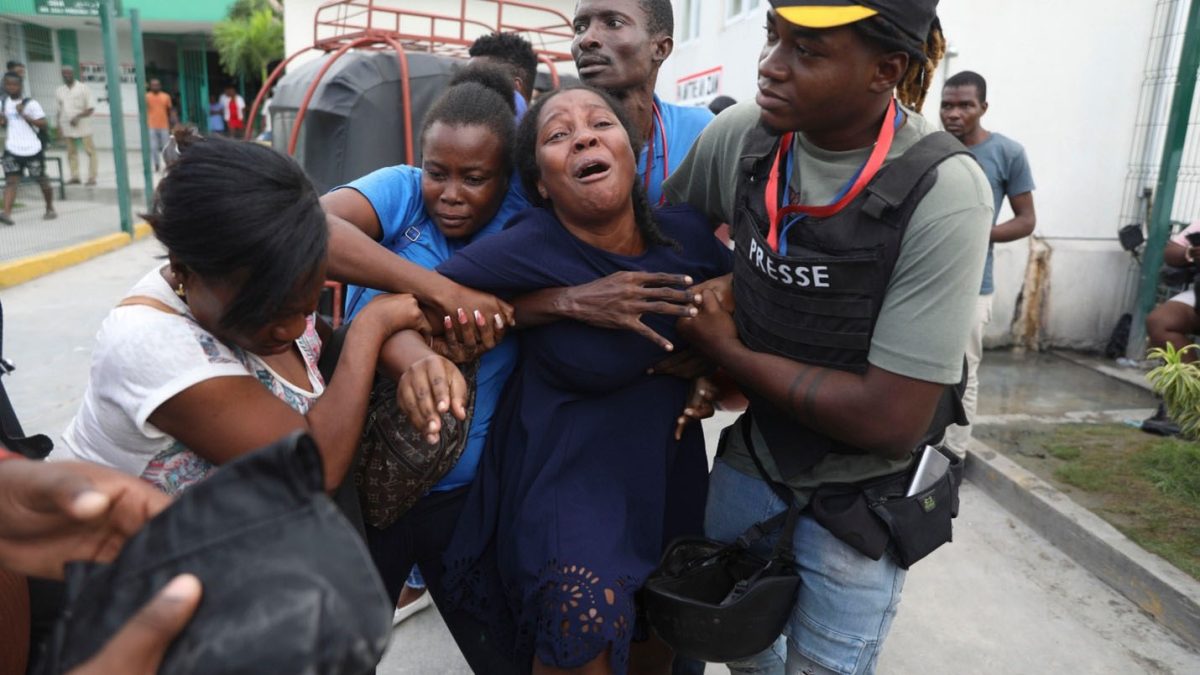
145 357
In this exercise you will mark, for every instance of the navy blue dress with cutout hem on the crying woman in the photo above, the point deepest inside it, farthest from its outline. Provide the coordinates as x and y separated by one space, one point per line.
583 482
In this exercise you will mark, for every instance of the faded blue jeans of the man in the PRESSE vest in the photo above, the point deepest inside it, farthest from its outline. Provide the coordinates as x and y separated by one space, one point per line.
847 601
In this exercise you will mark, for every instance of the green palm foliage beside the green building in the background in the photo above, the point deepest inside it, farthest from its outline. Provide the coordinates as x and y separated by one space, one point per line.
250 38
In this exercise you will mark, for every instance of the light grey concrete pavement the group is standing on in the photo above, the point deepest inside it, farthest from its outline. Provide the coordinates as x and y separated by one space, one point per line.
999 600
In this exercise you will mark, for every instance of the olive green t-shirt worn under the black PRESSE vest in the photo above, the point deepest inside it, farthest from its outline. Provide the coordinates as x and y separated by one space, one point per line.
927 315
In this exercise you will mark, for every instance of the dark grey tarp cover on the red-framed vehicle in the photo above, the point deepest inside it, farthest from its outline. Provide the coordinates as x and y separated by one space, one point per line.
355 123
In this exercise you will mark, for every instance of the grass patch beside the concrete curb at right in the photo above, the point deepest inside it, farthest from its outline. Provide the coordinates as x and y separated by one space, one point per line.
1147 487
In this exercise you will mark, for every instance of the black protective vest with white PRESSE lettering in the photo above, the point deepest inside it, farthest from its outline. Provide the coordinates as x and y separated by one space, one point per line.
819 304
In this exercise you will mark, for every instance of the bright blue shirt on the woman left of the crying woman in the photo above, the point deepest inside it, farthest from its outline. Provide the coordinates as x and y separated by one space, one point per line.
395 195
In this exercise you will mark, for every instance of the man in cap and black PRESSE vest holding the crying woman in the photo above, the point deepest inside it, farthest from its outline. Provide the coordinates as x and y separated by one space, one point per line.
861 236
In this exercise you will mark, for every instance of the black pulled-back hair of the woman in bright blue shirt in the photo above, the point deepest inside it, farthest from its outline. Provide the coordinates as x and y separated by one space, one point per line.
479 95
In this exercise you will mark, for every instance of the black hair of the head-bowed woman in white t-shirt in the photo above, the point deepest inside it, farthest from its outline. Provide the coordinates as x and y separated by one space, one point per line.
243 213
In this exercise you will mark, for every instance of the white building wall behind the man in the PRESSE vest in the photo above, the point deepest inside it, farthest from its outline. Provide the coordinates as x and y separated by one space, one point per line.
1070 97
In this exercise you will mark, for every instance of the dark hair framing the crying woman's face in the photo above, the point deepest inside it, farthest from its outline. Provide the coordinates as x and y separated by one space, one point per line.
525 160
